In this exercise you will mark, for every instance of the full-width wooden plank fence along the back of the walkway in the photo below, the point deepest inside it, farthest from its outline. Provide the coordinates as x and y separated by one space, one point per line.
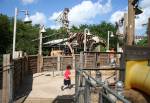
86 60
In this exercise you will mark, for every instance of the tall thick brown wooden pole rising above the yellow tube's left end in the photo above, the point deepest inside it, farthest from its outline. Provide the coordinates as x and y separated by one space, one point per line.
131 23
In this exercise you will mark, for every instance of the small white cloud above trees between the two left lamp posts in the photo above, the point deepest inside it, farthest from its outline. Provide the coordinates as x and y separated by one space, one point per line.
38 18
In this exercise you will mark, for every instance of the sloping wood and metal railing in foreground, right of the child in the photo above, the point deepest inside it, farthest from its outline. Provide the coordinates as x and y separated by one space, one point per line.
84 83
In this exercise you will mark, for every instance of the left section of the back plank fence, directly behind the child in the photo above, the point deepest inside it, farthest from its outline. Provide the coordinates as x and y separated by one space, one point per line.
59 63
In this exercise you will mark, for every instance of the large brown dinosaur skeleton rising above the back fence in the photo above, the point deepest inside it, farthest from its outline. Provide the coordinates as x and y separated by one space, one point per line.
91 40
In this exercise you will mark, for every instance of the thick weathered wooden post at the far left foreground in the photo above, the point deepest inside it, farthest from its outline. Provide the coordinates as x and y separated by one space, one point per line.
6 97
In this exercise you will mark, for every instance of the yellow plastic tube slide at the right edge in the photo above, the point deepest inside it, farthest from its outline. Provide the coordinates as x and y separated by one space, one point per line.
138 76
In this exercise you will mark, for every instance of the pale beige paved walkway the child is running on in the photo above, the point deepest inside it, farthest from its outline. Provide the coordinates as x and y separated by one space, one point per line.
46 88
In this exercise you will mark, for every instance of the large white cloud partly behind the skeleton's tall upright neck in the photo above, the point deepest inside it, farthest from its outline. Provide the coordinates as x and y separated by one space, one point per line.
85 12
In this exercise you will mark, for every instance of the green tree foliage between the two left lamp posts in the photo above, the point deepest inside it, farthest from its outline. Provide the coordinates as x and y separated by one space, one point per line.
24 36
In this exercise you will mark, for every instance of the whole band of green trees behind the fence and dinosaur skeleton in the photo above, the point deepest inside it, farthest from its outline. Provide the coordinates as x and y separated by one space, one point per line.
25 33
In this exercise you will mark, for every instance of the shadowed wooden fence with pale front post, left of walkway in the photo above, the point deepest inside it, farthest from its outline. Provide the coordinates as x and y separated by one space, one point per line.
13 76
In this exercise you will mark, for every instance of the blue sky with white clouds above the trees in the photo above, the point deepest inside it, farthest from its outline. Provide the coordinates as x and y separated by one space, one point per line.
45 12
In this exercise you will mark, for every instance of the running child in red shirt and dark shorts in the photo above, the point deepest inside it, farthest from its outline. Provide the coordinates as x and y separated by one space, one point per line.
67 79
